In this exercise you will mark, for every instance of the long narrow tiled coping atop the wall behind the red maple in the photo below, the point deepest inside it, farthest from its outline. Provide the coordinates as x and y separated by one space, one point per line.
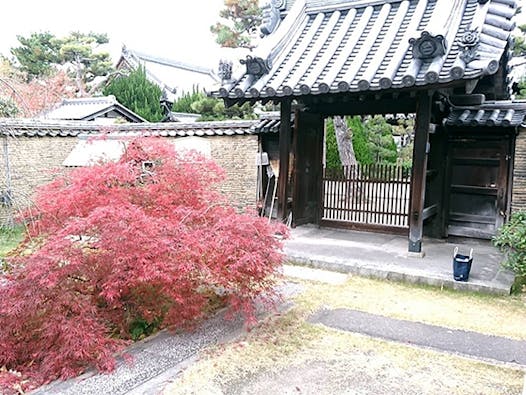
40 128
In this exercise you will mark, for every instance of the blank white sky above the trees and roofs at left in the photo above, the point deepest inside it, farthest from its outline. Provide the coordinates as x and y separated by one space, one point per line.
173 29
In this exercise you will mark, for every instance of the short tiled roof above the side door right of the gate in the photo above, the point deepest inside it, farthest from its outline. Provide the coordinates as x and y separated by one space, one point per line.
498 113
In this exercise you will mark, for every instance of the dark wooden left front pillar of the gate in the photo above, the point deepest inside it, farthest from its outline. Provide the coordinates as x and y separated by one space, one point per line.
285 132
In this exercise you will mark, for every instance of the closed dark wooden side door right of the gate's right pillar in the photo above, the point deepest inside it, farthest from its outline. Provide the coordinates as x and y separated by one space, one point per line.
478 171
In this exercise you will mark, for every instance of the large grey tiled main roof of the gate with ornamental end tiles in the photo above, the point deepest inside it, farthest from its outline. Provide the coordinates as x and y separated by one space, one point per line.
333 46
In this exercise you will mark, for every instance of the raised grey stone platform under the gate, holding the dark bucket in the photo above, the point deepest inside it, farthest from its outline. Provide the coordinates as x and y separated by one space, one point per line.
385 256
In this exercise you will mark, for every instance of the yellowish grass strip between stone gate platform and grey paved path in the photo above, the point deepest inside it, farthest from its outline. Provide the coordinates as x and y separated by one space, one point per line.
488 314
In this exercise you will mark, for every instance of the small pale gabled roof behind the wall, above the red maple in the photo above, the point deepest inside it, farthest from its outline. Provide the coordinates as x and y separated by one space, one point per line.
87 109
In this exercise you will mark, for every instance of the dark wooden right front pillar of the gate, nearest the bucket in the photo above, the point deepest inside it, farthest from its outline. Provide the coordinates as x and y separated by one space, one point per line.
418 174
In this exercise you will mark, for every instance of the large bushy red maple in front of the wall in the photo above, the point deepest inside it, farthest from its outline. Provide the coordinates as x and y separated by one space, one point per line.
148 238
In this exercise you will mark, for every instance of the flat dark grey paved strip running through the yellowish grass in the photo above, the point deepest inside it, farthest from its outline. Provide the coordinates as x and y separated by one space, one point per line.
456 341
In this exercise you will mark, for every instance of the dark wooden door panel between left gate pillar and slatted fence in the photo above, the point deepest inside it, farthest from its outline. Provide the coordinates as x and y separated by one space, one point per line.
308 145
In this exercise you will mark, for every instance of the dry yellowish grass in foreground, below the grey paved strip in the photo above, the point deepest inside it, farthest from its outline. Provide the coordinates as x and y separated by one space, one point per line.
286 355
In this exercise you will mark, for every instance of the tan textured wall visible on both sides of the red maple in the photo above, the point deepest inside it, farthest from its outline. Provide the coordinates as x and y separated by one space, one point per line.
33 161
